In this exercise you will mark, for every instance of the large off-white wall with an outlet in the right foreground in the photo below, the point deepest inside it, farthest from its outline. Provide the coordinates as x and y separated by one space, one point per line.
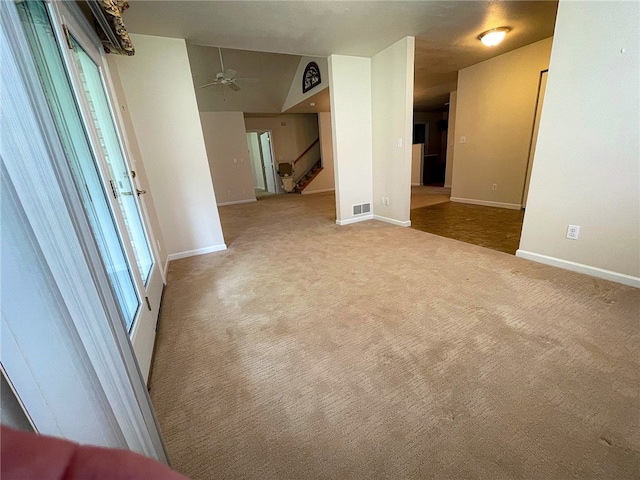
586 168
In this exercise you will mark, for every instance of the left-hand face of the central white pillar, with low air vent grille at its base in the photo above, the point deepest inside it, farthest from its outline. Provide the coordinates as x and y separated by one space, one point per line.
351 120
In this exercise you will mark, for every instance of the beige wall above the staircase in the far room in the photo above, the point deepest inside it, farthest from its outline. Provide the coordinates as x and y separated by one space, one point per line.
291 135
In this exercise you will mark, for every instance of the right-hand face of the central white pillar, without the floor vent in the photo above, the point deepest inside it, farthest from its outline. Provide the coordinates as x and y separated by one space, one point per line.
392 129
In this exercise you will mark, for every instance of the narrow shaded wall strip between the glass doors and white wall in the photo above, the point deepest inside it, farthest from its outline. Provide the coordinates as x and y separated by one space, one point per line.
135 157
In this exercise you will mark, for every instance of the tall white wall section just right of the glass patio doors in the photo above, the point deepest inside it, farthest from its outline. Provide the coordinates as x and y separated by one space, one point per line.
159 92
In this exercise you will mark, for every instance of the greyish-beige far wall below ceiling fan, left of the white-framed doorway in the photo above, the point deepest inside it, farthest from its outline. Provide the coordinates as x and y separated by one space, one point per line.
225 139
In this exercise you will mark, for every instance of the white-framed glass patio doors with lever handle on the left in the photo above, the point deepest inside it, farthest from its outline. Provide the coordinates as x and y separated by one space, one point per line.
76 92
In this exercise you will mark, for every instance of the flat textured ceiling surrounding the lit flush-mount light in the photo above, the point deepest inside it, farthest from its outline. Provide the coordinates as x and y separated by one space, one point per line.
446 32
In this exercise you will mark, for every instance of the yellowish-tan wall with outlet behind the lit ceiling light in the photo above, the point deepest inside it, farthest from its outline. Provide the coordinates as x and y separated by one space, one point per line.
495 109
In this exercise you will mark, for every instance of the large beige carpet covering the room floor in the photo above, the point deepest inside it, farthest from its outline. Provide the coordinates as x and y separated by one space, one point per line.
308 350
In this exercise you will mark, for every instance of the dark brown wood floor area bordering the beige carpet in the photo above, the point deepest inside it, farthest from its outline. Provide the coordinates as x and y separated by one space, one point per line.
489 227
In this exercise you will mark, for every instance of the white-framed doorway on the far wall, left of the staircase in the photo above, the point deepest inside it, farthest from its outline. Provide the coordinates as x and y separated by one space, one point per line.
263 166
